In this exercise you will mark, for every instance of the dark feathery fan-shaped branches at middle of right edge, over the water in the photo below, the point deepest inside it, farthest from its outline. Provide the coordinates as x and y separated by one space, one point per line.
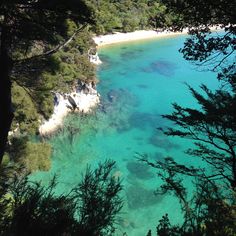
213 130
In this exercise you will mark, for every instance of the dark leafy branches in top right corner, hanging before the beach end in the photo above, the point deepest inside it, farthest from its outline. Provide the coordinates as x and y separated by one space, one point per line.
214 51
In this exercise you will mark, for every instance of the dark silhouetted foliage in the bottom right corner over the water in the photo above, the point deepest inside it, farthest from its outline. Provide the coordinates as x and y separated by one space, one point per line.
211 209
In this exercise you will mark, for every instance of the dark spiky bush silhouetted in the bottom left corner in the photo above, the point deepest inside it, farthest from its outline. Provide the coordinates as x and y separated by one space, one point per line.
88 209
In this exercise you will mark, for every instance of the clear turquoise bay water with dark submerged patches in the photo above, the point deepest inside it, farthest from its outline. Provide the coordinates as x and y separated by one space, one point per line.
138 83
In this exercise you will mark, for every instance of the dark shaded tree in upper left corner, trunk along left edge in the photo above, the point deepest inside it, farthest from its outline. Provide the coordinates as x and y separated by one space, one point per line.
26 26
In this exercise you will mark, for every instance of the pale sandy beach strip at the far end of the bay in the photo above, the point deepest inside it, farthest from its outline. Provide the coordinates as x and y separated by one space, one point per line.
117 37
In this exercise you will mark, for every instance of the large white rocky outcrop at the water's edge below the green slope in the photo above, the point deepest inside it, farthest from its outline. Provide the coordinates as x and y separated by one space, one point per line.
85 102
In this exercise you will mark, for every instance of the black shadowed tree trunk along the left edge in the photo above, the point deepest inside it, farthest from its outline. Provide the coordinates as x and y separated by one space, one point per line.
6 113
